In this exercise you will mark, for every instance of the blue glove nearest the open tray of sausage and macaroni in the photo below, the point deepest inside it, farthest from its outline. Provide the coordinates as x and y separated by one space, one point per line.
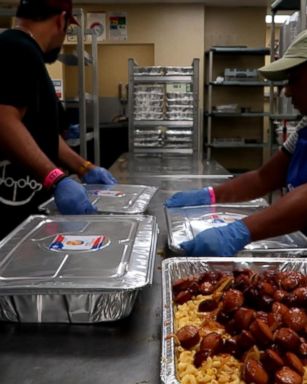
220 241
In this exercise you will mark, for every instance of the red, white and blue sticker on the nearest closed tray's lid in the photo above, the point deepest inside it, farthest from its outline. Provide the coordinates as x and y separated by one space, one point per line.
78 243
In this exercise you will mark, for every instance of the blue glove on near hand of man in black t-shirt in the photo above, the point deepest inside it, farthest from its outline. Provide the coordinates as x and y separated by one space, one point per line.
71 198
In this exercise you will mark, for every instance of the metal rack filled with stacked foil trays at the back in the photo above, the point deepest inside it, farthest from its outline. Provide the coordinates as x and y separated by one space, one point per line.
162 128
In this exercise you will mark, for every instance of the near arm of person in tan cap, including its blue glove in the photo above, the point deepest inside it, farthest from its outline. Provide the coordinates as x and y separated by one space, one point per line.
287 215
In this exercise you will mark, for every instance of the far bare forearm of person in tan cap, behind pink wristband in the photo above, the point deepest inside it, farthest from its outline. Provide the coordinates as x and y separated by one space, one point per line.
250 185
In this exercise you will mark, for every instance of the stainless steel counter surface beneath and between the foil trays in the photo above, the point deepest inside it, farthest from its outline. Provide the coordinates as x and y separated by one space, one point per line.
127 351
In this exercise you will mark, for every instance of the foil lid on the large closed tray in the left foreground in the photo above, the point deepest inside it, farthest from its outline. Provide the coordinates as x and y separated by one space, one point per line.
78 253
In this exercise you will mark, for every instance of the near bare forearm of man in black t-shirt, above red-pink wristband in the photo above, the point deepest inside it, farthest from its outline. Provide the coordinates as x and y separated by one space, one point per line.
18 144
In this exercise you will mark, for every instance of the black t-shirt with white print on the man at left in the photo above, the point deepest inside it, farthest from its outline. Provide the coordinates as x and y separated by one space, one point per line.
25 82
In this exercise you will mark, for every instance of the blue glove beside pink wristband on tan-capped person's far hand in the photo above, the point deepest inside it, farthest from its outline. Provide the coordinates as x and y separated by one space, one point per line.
189 198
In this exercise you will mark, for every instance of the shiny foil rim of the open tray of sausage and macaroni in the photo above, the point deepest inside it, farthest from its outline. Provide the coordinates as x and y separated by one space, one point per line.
177 268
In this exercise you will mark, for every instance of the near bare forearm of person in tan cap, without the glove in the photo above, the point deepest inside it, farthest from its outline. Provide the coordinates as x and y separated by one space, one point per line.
287 215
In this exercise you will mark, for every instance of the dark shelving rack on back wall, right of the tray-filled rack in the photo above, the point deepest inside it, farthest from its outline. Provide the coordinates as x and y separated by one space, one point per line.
211 84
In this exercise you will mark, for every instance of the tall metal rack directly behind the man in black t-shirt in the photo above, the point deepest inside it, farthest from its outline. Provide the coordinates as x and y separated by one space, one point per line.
85 99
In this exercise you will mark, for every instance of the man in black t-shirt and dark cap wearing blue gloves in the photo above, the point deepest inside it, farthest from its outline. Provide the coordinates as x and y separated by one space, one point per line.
32 151
